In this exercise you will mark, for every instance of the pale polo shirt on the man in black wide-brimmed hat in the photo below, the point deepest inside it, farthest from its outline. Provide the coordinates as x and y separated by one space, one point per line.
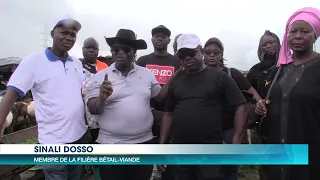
127 117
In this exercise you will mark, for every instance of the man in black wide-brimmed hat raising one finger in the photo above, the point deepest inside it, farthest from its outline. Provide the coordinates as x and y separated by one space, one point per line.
121 96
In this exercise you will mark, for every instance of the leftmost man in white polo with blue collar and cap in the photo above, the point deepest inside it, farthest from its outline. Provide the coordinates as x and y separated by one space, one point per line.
55 80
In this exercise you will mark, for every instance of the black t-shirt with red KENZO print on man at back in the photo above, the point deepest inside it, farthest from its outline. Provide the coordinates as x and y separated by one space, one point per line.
163 67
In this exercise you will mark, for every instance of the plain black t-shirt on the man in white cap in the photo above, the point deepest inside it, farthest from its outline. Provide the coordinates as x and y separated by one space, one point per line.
196 104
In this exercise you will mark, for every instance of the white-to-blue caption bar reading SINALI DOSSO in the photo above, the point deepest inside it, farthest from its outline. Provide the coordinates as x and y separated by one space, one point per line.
139 149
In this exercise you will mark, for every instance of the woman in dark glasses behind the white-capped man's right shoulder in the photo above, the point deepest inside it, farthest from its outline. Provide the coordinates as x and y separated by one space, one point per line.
213 56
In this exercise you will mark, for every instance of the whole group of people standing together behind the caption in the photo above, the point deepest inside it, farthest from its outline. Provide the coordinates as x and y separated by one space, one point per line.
189 97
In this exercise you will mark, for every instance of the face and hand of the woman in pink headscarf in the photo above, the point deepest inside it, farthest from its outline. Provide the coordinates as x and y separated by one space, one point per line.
300 39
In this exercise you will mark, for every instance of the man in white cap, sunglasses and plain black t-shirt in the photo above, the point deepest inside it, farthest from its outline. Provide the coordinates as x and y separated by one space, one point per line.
193 111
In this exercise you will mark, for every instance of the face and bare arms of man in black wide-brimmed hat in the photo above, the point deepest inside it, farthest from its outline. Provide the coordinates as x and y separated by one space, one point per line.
124 63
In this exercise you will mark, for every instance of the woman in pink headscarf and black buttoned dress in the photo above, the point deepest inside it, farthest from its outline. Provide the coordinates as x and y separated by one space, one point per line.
292 114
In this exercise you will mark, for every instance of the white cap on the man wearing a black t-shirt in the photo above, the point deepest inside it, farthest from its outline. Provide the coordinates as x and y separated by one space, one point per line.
189 41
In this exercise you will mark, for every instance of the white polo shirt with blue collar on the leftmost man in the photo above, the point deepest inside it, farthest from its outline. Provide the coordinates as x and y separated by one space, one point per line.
56 89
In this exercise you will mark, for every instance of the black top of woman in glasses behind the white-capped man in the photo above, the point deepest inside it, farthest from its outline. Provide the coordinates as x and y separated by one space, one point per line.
243 85
